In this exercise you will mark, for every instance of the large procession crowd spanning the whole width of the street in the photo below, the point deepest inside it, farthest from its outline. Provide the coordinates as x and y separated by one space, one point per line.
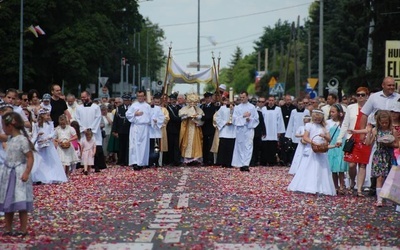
46 137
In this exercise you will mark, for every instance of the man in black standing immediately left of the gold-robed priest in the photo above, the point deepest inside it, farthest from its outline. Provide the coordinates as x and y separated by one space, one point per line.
173 129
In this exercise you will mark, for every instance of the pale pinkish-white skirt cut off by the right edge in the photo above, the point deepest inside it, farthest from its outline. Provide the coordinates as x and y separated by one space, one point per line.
391 188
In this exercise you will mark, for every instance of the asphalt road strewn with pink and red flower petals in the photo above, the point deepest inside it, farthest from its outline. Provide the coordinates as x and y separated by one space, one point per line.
200 208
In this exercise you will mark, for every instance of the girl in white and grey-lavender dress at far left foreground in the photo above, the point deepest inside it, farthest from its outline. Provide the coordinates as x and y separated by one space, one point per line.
15 173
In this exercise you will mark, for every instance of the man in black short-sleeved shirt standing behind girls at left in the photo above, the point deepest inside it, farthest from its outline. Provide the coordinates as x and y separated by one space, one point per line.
58 105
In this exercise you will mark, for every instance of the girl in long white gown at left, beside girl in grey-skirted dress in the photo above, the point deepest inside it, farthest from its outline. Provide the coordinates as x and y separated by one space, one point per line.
51 169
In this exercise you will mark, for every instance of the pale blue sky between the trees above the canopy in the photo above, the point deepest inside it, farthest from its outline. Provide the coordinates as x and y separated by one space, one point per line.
230 23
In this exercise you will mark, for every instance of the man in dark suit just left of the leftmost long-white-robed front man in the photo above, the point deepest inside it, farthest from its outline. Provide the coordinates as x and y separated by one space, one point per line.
120 130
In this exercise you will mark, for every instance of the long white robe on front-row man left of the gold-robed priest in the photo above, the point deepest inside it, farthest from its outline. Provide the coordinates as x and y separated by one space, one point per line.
139 135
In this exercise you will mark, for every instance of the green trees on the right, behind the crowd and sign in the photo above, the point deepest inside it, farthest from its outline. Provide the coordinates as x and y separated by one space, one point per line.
346 36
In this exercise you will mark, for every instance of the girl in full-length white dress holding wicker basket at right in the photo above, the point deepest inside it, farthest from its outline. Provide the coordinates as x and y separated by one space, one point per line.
314 175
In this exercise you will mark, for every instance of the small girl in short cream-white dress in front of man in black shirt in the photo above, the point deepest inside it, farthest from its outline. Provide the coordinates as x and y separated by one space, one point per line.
64 135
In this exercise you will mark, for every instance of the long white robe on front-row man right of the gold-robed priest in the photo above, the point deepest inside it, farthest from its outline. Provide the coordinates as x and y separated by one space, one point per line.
244 134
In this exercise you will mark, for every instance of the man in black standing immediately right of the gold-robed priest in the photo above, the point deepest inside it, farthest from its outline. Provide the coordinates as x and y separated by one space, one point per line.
208 129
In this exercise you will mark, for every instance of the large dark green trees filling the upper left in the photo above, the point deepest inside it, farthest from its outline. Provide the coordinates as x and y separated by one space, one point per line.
81 37
